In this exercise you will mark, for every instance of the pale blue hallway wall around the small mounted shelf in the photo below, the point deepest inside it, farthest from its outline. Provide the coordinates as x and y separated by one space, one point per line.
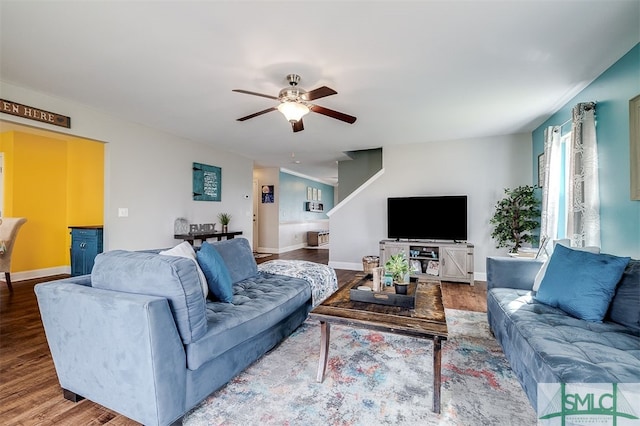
293 195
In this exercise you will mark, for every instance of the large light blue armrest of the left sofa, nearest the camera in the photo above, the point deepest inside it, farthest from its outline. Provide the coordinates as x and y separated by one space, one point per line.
121 350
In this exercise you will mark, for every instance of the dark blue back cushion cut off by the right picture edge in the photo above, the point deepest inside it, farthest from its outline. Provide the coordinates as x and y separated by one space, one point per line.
625 306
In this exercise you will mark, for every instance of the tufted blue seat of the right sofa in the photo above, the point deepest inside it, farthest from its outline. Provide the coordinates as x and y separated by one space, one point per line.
545 345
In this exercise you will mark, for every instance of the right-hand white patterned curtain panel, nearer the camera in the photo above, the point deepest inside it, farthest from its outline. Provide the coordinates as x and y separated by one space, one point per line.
583 221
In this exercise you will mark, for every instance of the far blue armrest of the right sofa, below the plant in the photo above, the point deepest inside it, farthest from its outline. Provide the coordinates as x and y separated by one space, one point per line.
512 272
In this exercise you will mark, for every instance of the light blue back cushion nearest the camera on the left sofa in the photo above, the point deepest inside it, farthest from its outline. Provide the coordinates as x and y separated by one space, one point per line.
175 278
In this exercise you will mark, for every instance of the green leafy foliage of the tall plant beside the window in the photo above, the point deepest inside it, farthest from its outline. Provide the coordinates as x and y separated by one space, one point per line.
515 218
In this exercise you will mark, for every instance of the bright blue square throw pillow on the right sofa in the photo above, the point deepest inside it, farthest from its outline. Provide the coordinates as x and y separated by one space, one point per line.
581 283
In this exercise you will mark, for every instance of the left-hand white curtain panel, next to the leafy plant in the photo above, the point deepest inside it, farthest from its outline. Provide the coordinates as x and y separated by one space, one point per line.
551 186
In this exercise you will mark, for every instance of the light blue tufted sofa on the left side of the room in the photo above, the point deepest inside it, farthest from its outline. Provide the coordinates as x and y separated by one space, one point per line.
139 337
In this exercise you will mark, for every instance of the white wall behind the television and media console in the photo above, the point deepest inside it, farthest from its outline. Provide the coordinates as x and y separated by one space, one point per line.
479 168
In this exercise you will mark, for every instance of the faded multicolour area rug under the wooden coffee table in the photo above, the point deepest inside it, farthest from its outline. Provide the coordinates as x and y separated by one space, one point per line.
374 378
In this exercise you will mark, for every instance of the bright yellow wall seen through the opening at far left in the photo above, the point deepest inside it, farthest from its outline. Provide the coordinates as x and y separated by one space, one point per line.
54 183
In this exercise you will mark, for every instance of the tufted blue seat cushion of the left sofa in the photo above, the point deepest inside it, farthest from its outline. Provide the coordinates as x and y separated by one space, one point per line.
259 302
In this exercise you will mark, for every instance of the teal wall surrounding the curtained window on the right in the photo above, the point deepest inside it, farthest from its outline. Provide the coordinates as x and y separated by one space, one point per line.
612 90
